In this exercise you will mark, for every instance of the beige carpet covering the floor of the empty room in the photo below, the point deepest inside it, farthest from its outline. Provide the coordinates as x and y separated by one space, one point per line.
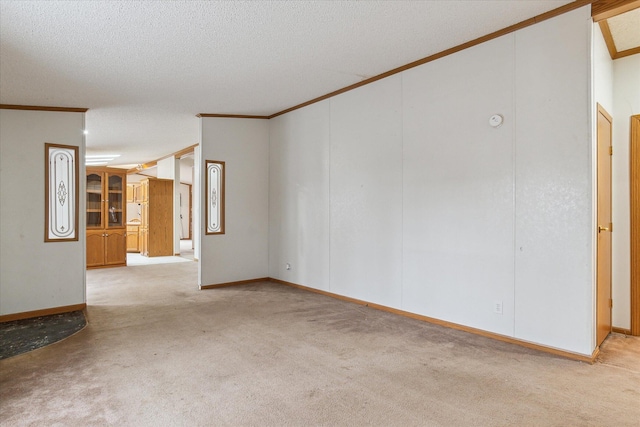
158 352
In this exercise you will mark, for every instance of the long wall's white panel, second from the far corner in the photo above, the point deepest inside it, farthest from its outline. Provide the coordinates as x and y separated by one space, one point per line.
366 192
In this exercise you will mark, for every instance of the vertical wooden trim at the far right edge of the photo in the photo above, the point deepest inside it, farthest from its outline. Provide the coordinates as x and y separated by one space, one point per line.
634 184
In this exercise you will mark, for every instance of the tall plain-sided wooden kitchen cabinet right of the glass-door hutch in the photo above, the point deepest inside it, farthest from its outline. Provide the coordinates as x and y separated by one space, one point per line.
156 226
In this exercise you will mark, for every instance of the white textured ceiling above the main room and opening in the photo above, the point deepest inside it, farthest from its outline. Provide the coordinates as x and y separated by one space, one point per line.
146 68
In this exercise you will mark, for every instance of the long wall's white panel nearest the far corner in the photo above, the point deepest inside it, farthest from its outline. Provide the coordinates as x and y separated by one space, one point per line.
299 196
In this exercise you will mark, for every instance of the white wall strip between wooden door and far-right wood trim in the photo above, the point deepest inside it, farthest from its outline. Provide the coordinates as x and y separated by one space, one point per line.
626 102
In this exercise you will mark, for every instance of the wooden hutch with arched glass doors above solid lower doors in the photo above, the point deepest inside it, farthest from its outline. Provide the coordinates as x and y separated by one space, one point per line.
105 212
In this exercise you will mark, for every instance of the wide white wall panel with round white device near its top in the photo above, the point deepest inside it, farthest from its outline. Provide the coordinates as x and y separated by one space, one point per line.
459 187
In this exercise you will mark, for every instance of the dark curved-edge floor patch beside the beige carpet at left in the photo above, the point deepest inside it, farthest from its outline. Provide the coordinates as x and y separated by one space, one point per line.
21 336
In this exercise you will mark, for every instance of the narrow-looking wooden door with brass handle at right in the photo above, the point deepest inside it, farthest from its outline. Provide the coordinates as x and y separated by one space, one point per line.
603 284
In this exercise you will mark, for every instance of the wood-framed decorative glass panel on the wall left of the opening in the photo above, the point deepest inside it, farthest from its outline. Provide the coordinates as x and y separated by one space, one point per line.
61 193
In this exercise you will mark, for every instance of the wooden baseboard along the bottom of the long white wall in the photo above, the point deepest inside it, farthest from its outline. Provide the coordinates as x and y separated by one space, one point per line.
492 335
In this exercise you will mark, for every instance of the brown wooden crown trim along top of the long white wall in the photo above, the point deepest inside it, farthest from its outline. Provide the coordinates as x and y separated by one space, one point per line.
526 23
